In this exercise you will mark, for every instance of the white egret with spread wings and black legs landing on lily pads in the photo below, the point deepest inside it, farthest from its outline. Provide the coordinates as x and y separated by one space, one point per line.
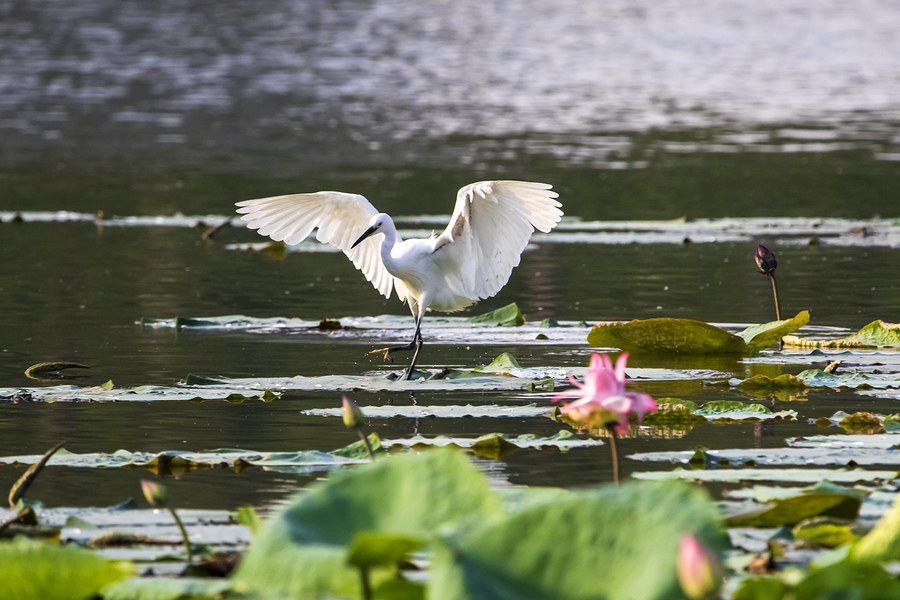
469 261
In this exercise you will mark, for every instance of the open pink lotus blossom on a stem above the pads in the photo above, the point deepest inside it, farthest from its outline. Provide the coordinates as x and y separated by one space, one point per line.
603 395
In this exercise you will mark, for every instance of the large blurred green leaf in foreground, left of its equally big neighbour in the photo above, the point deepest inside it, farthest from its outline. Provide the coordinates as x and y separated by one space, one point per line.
303 551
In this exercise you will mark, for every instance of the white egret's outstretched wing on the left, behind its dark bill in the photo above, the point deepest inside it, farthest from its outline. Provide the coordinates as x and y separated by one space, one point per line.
341 219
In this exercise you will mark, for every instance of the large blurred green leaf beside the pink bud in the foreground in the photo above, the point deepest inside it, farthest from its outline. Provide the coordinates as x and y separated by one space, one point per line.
613 542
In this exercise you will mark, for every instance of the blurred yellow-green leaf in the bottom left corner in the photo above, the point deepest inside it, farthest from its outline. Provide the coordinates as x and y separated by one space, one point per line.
33 570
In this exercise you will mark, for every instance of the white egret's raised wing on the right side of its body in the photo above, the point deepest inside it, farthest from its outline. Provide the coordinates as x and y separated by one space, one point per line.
490 227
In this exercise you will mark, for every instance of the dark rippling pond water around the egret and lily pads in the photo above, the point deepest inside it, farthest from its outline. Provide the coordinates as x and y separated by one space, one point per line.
632 110
